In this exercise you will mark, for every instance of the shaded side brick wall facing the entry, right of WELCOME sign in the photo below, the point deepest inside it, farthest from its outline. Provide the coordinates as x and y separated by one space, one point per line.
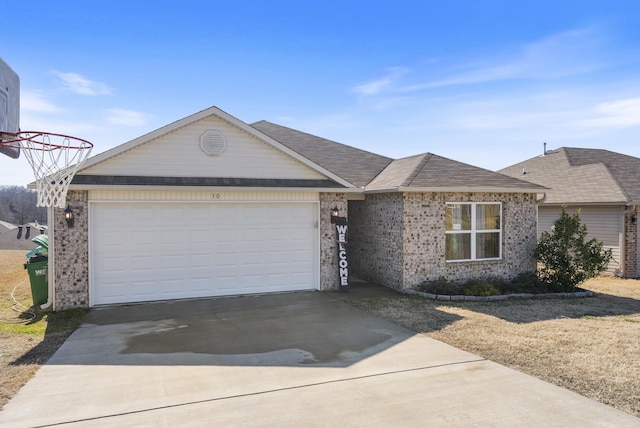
375 239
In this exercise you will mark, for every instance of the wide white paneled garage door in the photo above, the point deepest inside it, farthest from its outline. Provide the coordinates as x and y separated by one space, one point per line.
159 251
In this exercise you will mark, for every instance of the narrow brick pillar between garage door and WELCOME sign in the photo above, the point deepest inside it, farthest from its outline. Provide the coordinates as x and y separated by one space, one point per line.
329 274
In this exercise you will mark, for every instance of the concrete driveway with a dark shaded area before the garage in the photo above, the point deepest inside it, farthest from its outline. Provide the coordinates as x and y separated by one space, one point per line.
298 359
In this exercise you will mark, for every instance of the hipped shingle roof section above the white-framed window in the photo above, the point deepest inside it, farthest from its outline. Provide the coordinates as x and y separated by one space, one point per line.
429 171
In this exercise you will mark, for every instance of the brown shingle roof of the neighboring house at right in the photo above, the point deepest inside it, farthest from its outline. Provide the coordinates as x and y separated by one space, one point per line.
578 175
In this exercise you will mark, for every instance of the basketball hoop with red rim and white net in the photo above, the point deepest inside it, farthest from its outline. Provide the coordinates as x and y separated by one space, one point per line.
54 158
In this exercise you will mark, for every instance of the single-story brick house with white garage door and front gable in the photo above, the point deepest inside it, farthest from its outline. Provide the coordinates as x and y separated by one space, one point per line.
212 206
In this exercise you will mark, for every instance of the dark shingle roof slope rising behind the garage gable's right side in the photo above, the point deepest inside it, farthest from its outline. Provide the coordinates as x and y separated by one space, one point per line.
356 166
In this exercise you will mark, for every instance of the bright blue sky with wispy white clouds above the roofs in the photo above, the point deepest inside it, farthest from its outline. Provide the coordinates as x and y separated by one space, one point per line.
481 82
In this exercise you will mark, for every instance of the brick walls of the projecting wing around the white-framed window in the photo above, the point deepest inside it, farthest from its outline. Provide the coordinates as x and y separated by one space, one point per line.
400 238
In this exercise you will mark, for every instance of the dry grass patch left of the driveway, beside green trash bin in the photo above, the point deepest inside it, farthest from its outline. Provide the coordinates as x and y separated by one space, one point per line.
25 344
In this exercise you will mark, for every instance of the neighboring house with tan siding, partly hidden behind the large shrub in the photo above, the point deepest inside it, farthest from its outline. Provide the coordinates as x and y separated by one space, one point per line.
603 185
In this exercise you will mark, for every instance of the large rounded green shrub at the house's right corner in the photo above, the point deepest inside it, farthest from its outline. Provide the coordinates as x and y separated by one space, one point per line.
565 259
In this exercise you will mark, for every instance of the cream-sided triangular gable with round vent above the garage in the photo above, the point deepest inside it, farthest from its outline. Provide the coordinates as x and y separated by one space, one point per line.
208 144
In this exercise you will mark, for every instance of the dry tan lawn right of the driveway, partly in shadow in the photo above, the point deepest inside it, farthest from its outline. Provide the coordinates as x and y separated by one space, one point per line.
588 345
